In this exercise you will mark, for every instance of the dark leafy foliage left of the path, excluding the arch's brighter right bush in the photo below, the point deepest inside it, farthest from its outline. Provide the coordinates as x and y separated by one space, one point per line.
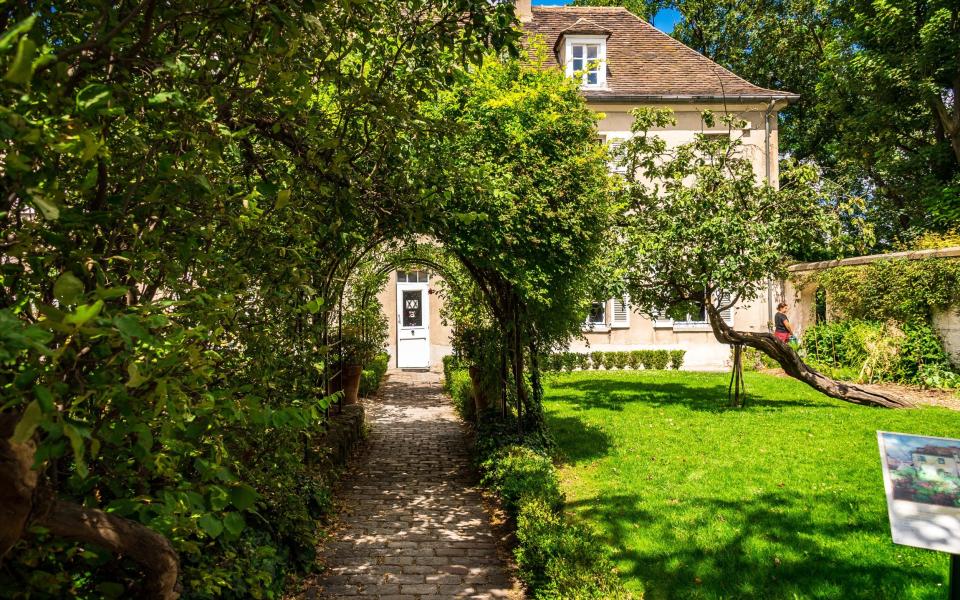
182 184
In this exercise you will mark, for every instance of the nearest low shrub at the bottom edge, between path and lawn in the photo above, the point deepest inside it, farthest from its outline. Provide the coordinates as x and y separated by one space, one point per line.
560 560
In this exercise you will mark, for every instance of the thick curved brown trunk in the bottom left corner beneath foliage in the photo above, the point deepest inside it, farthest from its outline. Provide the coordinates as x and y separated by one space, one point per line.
21 504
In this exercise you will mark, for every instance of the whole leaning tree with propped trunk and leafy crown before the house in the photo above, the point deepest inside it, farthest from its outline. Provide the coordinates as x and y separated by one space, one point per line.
700 229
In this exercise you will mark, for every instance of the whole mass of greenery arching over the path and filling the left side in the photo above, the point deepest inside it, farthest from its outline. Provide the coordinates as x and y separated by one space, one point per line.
185 191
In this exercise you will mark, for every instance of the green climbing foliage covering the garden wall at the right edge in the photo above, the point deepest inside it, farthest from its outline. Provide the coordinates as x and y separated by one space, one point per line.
908 291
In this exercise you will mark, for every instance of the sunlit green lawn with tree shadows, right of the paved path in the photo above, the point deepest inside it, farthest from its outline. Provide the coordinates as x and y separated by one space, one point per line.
782 499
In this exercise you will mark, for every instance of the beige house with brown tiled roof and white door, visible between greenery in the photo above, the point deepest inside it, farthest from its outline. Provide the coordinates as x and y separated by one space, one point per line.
623 62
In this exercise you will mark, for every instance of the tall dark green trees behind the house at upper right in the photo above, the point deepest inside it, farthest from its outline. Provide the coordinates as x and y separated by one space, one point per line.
878 100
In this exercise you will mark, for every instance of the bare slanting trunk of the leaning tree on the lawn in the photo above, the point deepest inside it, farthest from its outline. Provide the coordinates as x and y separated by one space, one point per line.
793 366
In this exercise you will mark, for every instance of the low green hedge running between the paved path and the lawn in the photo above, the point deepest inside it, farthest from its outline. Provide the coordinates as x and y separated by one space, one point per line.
557 558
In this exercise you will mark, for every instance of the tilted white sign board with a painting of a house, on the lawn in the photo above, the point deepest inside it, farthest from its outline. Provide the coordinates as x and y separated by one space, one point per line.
921 475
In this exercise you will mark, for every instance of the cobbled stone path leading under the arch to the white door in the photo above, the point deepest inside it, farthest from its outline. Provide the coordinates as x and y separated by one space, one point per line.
412 522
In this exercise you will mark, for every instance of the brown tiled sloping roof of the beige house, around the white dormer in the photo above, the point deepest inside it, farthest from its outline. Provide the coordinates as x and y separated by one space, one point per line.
644 63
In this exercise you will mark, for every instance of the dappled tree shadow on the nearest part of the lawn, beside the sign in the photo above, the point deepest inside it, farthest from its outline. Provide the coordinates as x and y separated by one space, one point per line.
770 549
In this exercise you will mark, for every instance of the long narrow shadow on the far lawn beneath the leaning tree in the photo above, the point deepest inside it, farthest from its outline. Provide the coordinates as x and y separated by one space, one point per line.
614 394
